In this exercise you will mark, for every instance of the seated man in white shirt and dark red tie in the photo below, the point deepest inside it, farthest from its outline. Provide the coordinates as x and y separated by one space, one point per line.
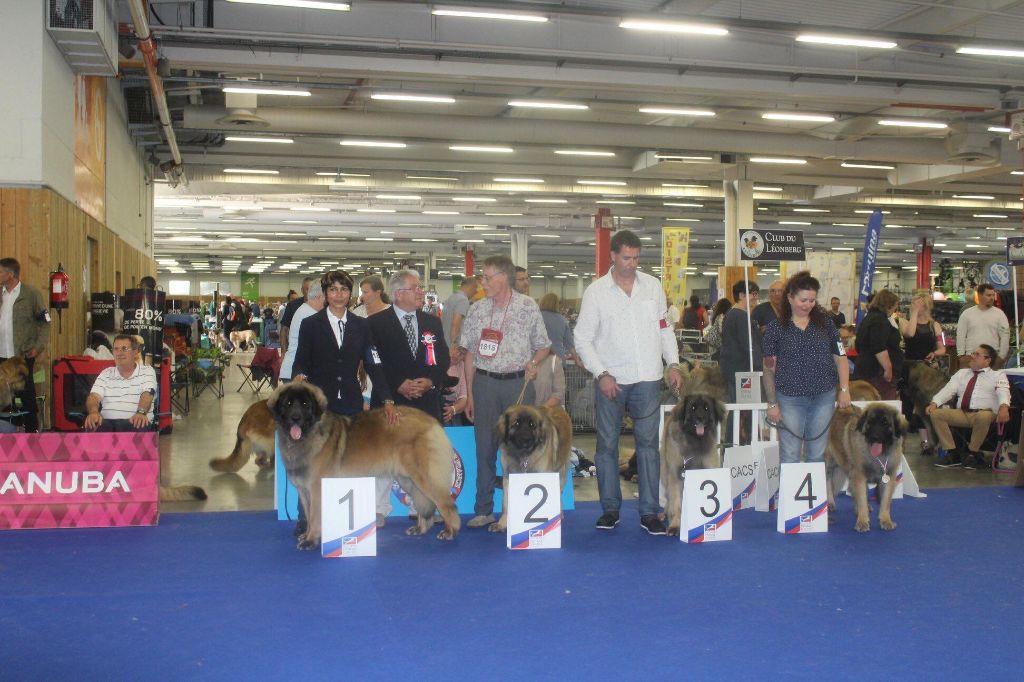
983 397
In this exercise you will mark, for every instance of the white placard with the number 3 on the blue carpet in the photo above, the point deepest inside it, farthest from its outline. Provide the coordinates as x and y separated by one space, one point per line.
707 515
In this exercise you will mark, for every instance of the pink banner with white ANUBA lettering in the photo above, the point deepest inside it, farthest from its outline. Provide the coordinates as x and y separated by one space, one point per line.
71 481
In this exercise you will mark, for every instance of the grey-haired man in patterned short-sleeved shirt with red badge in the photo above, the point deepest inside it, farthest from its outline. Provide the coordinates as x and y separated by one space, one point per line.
503 342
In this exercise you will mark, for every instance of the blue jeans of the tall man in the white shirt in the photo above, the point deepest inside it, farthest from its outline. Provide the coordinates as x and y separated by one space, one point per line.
643 401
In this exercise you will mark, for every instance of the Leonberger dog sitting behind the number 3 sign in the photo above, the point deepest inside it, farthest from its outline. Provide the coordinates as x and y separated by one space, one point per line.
691 440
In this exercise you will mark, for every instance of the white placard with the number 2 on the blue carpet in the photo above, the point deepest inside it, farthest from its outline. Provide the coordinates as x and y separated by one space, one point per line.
535 515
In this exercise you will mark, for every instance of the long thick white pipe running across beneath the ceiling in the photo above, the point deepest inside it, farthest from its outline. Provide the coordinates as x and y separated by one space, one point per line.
574 134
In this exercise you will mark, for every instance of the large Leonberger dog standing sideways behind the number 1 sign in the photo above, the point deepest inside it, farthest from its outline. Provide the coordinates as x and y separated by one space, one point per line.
317 445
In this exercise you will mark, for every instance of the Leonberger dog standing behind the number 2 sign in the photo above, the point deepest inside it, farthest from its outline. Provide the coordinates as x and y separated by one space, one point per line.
532 440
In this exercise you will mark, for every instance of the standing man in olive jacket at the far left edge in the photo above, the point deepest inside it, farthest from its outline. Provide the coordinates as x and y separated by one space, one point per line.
25 328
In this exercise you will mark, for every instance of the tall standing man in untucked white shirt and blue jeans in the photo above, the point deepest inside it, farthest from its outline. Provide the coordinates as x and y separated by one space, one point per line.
623 335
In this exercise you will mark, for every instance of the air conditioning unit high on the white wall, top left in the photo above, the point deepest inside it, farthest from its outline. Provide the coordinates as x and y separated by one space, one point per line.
87 33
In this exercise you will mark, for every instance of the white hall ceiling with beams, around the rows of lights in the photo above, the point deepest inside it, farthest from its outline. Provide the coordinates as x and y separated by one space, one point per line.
581 56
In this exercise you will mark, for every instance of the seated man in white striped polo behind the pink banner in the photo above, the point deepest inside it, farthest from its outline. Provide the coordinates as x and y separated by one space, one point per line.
122 396
